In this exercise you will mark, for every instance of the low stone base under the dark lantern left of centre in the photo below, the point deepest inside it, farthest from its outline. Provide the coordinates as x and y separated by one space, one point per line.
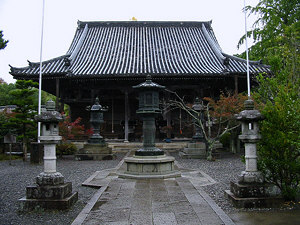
95 152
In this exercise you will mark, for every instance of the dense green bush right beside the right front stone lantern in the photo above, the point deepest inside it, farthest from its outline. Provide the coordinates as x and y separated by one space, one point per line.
279 149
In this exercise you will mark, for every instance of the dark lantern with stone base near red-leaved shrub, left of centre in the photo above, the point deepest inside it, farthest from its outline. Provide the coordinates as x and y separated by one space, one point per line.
96 148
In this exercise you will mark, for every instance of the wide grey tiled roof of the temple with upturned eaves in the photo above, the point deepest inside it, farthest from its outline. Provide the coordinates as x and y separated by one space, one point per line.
106 49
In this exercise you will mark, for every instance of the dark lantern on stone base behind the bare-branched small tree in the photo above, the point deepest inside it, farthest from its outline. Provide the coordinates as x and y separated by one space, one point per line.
196 149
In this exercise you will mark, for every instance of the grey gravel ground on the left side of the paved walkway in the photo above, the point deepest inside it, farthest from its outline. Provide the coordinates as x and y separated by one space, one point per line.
15 178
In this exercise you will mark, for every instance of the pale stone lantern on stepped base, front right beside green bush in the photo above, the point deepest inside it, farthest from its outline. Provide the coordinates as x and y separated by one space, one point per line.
251 191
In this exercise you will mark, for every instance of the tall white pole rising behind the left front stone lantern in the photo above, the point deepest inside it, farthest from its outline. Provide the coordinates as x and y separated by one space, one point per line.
40 77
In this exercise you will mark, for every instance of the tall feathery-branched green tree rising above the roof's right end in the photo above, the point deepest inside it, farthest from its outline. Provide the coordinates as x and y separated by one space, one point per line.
275 33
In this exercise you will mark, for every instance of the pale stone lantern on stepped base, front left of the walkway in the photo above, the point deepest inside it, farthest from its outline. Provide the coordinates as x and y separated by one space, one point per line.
50 190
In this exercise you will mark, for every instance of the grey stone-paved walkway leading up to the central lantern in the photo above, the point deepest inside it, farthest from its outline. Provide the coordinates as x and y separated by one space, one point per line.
159 201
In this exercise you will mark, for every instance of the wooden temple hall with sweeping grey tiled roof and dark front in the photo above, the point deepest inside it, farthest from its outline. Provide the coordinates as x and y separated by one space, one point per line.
106 59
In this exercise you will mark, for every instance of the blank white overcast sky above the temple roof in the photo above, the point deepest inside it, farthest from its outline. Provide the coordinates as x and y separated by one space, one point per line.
20 21
